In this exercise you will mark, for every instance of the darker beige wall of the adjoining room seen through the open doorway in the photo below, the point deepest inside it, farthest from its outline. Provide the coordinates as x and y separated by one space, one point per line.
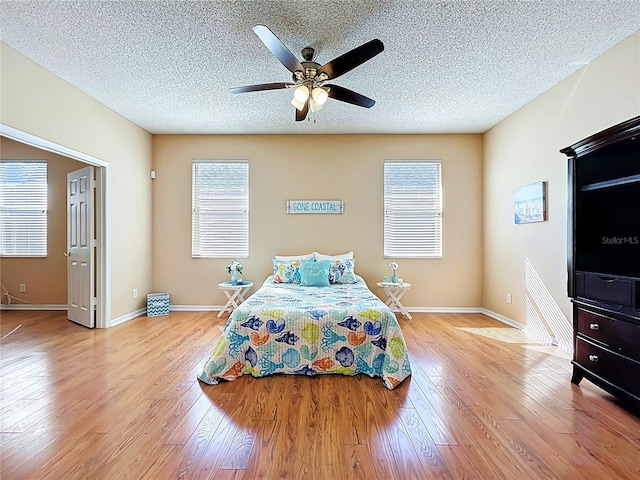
45 278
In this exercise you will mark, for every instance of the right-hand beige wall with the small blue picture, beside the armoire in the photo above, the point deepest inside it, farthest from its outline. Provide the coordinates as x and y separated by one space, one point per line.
524 149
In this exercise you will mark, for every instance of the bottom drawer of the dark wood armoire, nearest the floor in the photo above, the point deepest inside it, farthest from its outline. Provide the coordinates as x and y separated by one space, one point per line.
616 369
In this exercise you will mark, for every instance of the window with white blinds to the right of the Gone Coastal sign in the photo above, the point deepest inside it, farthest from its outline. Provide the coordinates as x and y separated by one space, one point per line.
413 208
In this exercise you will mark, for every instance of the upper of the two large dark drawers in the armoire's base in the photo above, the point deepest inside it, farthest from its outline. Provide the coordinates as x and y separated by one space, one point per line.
619 336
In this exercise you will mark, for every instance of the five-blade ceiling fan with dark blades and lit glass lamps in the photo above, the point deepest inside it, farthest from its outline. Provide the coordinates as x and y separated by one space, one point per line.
309 77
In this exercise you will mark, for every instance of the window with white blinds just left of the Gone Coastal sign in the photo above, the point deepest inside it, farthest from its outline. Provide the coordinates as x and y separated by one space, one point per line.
220 206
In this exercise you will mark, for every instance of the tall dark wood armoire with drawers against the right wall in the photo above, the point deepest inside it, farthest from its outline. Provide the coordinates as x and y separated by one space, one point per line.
604 258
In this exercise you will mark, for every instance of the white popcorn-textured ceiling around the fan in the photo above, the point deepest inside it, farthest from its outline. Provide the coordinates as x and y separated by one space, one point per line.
447 67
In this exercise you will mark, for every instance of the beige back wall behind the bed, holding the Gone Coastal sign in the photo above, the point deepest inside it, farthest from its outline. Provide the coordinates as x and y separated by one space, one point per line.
338 167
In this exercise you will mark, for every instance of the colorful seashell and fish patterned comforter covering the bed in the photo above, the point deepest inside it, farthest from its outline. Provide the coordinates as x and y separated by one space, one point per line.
288 328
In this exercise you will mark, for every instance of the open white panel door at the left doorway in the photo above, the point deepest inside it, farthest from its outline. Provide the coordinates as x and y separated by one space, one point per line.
80 247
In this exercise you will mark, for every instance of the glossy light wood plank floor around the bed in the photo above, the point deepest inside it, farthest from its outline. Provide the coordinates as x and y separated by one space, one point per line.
123 403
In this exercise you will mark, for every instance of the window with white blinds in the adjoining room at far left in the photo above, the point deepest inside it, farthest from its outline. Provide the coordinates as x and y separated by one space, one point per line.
23 208
